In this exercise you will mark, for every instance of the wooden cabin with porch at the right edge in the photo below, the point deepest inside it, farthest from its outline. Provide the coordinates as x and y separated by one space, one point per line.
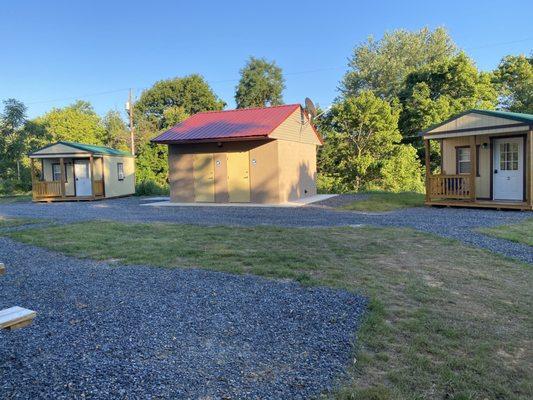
486 161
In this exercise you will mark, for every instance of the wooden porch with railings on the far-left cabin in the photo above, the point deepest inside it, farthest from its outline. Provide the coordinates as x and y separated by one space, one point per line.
55 190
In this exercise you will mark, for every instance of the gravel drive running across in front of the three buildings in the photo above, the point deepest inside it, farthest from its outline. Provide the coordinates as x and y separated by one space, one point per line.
457 223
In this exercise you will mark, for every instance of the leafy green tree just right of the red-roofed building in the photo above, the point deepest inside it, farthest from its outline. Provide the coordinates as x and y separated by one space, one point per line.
362 148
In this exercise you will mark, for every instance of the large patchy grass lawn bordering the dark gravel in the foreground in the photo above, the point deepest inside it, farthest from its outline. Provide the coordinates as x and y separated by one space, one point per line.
446 321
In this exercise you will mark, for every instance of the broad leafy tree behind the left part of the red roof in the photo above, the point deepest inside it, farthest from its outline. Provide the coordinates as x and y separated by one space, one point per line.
191 93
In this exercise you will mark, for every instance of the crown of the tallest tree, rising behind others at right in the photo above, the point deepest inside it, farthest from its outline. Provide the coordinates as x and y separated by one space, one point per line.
383 65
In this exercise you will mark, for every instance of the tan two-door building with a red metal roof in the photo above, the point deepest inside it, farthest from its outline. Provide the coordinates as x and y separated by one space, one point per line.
258 155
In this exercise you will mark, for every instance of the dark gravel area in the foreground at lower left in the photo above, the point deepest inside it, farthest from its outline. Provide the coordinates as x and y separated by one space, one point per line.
105 331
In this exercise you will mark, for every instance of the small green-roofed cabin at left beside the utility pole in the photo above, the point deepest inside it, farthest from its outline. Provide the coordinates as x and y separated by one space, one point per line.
66 171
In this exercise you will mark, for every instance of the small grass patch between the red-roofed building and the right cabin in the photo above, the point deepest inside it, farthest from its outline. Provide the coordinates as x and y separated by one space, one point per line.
386 201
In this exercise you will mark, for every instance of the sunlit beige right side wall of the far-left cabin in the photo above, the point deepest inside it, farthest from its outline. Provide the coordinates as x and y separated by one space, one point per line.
114 187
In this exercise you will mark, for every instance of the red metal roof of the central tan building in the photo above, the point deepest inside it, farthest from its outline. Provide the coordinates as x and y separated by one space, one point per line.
231 124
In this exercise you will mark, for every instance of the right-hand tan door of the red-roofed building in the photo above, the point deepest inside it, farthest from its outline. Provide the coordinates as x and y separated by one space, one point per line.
238 165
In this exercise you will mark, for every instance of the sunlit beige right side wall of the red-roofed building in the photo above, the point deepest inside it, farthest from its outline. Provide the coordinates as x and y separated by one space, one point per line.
297 170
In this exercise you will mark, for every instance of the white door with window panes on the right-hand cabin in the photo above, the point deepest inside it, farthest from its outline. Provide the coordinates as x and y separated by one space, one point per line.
508 172
